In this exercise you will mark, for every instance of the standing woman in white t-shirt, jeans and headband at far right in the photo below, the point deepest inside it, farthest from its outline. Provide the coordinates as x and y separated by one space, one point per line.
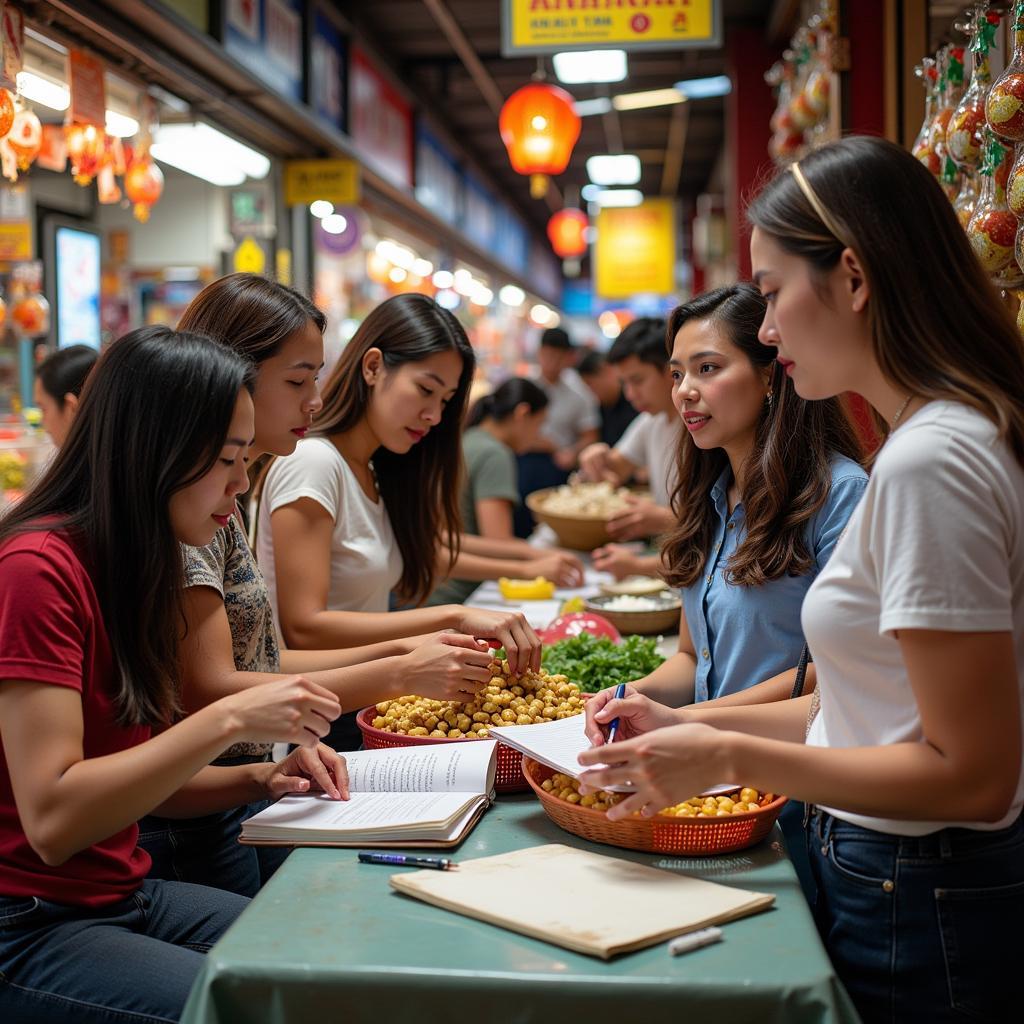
917 624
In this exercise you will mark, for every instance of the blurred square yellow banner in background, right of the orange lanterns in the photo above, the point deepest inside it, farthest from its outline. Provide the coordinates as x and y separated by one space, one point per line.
635 253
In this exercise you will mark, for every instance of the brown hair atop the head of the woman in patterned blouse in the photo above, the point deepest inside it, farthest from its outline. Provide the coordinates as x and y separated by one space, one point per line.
252 315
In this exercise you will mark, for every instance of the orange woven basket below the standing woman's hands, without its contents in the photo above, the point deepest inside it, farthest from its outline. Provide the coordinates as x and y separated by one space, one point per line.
662 834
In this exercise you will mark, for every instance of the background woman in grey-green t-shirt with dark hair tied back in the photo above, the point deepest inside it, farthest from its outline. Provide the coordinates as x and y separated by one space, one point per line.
499 428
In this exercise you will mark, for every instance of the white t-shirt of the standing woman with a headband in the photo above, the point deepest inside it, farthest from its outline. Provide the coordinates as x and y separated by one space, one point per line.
937 543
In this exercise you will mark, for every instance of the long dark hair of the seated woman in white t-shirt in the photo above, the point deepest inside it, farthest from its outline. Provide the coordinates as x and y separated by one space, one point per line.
420 490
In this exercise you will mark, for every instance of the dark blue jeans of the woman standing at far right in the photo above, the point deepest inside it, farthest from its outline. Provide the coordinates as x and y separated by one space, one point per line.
924 929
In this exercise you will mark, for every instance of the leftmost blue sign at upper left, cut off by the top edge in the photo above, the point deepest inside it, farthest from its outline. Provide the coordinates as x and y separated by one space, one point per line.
267 37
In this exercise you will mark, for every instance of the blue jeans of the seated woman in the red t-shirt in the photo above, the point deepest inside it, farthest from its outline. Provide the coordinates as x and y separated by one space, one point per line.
134 962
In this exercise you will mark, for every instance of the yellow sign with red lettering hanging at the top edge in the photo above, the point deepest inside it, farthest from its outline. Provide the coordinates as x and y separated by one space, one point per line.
551 26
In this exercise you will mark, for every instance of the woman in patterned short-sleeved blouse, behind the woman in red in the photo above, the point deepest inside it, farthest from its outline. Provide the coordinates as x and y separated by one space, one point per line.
230 642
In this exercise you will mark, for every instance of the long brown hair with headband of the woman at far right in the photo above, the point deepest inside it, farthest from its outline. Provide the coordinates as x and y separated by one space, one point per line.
938 327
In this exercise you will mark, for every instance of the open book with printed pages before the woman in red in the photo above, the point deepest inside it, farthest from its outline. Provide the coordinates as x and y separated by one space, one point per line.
402 796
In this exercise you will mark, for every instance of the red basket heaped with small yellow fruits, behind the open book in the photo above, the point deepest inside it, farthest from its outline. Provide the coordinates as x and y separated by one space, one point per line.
508 700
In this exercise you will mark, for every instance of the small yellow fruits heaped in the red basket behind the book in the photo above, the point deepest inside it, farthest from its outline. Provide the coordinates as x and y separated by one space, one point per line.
507 700
